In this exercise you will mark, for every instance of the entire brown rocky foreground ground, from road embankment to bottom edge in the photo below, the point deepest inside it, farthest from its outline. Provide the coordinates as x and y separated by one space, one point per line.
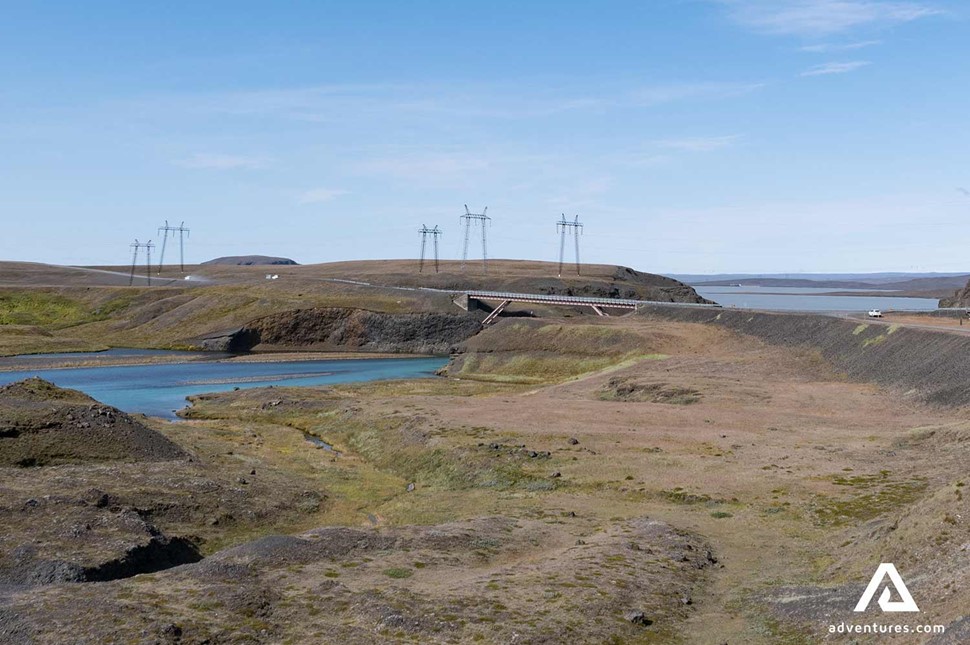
621 480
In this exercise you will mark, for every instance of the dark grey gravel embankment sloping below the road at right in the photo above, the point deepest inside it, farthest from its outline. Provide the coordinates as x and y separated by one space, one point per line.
928 365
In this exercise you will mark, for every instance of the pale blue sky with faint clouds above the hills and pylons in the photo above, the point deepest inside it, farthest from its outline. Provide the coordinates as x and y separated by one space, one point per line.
691 136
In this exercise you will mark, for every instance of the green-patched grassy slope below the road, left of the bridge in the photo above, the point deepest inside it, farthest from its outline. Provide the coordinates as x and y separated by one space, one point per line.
41 319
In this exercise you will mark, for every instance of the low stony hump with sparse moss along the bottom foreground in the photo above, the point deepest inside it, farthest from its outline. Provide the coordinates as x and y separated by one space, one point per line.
489 579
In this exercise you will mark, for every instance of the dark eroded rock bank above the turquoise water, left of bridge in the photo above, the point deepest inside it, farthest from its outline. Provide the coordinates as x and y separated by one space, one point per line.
343 329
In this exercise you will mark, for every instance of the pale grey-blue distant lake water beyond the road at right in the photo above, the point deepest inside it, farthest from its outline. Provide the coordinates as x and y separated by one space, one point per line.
811 299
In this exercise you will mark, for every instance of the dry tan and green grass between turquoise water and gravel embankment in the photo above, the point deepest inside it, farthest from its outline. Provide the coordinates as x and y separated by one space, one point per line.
775 465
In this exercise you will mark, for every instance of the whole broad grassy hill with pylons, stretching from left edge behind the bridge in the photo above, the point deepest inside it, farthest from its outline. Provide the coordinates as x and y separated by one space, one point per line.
46 308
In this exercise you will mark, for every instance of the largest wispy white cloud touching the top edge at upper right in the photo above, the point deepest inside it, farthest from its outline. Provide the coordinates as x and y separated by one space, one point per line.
813 18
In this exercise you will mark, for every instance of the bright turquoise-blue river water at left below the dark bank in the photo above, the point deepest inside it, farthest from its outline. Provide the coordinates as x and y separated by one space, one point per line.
160 389
